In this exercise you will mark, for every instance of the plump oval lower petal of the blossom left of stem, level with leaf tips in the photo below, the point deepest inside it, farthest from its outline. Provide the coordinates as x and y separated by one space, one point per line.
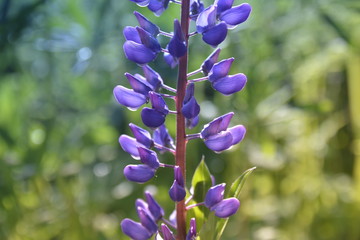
140 173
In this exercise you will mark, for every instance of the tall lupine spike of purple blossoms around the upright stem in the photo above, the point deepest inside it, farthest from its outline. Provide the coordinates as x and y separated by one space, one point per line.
150 93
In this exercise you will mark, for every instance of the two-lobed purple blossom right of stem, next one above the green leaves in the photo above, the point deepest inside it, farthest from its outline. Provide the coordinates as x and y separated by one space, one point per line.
218 137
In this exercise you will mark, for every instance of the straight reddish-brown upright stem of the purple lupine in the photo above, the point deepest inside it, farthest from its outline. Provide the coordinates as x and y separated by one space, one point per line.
180 156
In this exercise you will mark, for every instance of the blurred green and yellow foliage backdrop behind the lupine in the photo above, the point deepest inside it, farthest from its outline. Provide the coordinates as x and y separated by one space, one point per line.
60 161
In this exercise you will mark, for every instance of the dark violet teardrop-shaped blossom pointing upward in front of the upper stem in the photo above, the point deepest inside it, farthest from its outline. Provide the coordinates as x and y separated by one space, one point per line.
177 47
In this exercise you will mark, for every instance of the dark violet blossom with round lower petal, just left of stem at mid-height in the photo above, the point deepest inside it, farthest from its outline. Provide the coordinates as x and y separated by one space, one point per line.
154 117
